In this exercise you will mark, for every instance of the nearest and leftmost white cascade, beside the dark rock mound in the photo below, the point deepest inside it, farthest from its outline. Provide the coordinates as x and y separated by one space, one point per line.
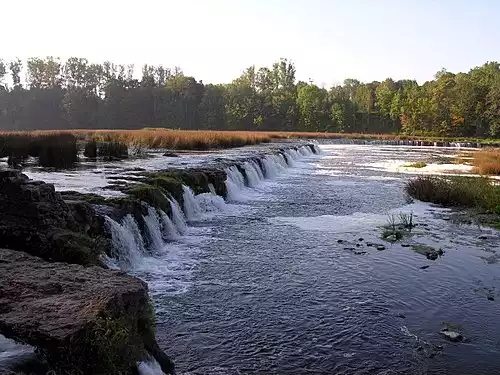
127 241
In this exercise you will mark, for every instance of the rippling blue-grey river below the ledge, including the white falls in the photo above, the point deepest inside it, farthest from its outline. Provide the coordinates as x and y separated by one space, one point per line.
279 279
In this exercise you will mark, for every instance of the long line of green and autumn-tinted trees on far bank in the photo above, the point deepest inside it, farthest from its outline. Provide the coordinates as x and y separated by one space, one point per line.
76 94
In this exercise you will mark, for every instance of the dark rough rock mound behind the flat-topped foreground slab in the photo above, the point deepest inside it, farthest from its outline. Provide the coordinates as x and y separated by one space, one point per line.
37 220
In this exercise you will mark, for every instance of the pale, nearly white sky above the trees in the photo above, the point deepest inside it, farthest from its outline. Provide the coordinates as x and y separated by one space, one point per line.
215 40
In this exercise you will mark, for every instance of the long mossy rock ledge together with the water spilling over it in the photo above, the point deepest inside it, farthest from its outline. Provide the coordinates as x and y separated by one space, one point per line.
172 199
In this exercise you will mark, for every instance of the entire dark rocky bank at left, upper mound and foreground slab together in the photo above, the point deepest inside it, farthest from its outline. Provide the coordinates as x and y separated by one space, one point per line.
49 255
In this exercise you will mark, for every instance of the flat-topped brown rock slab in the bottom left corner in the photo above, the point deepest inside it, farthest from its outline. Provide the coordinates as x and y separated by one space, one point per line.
87 320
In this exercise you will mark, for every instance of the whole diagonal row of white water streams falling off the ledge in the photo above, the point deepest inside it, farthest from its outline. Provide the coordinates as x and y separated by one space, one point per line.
159 228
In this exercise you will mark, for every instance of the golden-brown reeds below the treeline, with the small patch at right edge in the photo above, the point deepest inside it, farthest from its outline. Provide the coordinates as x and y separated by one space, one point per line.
59 148
